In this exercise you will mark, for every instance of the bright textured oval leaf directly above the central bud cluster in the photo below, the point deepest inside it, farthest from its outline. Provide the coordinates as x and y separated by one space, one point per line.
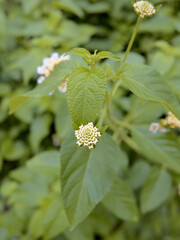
85 94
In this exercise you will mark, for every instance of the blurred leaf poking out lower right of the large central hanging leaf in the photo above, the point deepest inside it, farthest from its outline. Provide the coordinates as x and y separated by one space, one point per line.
121 202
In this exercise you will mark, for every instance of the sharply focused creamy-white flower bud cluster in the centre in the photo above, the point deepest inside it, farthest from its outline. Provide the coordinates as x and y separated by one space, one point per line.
87 135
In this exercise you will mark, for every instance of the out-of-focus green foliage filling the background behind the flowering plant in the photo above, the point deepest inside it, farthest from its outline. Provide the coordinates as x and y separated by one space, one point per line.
30 202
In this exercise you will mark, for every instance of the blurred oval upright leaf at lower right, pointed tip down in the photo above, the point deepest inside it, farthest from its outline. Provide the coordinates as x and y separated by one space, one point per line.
156 189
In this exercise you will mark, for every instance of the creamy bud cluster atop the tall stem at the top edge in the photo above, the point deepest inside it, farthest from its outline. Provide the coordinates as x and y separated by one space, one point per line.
144 8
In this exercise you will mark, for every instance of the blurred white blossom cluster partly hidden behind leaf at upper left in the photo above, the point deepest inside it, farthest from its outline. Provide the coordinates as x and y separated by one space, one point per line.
48 66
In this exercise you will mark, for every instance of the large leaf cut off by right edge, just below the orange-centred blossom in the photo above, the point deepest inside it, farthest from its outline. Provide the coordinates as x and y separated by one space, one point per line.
160 148
